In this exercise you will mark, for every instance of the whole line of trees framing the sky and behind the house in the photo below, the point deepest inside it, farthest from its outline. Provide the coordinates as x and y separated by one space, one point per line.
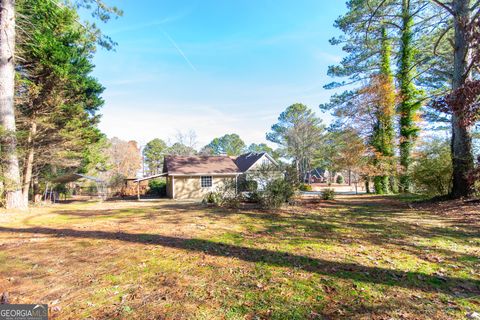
410 66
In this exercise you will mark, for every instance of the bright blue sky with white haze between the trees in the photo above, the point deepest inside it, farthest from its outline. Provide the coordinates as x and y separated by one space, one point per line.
214 67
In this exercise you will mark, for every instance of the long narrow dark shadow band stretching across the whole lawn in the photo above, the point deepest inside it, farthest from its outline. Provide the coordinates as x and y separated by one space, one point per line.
350 271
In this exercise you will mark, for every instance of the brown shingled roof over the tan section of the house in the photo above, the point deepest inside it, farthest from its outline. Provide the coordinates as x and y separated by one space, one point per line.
197 165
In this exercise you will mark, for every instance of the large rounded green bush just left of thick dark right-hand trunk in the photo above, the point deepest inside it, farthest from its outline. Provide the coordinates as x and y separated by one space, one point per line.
432 169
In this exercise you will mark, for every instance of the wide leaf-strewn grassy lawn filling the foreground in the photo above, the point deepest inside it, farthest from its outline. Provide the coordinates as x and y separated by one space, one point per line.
359 257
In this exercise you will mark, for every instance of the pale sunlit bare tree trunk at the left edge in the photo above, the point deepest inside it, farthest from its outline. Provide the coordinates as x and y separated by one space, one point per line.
10 166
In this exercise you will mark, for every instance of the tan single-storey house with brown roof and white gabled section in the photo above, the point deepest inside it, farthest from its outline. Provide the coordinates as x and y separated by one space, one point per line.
192 177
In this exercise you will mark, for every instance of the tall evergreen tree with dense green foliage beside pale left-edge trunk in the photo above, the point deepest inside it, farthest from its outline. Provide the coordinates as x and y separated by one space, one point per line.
57 99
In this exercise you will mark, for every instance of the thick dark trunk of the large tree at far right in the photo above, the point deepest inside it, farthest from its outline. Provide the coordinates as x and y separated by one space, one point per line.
462 152
